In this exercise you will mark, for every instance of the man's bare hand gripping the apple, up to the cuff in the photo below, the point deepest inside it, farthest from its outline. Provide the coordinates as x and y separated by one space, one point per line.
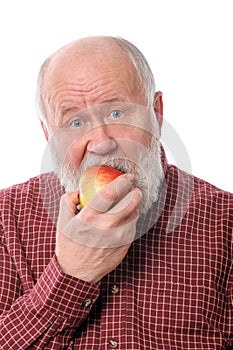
92 243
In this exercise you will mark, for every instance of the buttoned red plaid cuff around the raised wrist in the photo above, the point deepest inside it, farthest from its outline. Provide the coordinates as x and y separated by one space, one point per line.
63 295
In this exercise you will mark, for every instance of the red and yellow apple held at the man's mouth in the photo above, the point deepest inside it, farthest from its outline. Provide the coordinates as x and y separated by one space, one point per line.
93 180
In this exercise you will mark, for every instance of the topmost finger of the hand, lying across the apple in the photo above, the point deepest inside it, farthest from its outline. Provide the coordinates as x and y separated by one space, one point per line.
111 193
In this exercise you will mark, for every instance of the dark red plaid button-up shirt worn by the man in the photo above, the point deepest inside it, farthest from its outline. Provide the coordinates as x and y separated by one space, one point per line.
173 290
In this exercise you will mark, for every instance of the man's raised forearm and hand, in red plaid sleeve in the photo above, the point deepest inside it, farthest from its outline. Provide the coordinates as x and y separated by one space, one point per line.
65 292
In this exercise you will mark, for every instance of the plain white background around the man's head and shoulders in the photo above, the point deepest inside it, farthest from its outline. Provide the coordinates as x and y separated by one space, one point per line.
187 43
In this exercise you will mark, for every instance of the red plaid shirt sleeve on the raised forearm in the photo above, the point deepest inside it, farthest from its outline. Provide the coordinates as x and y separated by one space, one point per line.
57 302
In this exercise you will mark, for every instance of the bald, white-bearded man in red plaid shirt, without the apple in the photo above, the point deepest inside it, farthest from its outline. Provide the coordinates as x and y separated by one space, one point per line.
147 264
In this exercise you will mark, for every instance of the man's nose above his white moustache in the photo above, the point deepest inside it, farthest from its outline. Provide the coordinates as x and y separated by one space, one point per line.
100 142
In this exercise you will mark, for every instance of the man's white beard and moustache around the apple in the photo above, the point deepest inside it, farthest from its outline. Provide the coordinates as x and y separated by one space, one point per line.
147 170
